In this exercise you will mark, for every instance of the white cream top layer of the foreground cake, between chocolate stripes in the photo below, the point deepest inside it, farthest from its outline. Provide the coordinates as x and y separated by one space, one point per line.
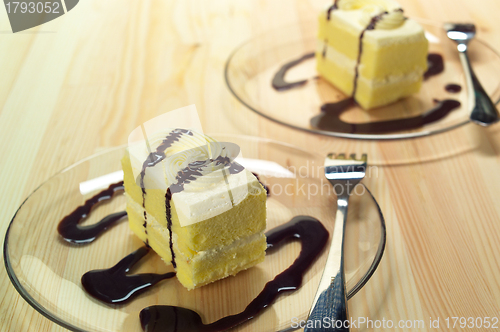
207 196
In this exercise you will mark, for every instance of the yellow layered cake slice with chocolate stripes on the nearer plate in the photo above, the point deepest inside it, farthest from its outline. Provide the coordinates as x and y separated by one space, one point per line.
192 204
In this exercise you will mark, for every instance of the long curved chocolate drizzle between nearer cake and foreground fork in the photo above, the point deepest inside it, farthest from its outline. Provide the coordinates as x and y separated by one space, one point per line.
313 237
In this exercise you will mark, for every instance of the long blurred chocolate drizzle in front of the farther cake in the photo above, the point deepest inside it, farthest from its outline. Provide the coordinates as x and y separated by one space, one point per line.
329 118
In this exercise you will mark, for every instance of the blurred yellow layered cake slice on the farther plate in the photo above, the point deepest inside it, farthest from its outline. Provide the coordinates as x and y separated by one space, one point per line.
370 51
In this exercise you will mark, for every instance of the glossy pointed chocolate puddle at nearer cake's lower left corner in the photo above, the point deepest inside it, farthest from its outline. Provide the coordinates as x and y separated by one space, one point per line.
114 286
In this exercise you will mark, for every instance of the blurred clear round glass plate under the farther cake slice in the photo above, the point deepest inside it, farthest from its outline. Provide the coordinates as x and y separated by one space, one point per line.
252 66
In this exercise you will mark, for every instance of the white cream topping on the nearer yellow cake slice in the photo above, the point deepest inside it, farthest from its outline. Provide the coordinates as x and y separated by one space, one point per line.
213 192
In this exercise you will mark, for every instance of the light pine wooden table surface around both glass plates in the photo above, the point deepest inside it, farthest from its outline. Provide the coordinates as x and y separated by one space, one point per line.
81 83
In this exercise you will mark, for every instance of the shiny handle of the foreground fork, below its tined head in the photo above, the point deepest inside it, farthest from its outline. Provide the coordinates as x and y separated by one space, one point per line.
330 303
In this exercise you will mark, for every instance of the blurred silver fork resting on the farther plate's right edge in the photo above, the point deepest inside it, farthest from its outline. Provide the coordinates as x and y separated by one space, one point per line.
484 111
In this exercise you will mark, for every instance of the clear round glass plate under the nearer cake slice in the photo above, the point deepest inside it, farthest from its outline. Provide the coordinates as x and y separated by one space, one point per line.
47 271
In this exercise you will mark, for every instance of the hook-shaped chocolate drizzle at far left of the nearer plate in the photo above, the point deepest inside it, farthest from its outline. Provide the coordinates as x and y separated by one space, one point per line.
69 229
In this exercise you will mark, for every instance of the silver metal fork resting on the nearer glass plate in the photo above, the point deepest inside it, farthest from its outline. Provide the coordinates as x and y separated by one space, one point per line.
331 298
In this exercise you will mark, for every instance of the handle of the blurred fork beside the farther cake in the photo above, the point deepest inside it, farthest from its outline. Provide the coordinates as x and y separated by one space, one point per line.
483 110
